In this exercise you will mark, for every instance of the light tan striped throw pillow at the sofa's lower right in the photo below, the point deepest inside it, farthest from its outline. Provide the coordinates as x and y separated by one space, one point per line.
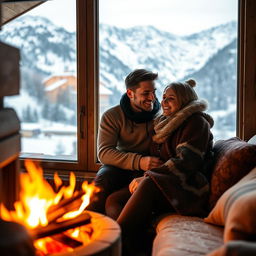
236 209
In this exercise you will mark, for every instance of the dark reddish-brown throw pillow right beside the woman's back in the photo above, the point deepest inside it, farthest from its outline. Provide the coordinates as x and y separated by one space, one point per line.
234 158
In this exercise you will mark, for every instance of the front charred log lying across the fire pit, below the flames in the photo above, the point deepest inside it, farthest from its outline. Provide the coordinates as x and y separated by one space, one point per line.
58 227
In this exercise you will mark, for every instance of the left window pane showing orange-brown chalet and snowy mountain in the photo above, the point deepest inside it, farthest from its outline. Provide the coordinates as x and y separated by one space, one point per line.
47 104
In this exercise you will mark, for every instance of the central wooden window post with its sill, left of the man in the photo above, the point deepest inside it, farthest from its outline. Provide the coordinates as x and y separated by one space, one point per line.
87 96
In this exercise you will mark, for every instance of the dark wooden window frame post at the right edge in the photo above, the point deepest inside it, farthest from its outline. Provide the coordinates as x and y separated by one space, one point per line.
246 98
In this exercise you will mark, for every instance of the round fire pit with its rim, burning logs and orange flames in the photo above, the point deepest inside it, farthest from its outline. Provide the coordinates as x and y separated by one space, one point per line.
56 219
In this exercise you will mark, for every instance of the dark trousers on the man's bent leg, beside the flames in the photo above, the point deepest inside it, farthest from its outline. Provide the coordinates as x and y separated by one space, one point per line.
110 179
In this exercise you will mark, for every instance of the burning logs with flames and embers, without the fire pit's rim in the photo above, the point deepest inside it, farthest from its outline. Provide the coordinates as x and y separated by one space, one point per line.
44 220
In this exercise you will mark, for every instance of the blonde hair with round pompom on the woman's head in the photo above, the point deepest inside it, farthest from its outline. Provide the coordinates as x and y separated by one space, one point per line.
184 91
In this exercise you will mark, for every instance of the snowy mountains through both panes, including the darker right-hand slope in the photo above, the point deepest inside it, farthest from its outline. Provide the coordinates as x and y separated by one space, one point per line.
209 56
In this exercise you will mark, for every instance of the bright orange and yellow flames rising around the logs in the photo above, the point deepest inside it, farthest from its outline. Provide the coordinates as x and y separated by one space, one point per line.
37 196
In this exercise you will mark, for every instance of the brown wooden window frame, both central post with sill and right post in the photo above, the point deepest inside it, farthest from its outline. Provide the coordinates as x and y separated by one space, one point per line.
88 88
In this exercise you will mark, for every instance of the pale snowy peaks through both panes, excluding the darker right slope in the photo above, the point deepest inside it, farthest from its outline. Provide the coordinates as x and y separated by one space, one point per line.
51 49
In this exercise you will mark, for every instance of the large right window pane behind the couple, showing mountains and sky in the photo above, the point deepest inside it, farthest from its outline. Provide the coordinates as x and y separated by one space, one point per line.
179 39
